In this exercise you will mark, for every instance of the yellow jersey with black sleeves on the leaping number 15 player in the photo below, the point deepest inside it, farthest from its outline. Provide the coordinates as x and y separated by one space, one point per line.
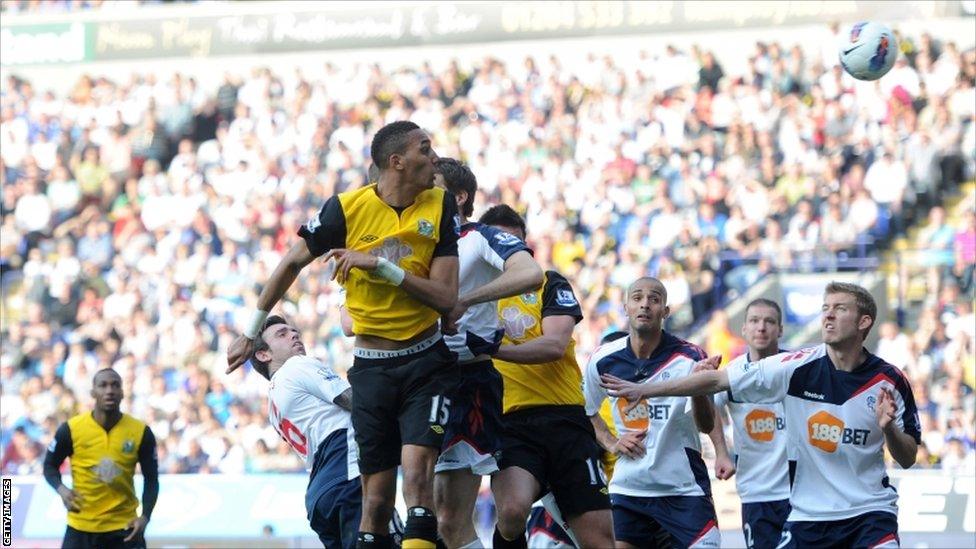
410 237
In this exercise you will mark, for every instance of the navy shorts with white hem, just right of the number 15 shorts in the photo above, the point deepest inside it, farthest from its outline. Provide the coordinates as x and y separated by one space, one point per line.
472 439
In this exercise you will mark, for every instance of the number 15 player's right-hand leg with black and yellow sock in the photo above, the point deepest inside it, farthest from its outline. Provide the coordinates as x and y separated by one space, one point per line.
420 531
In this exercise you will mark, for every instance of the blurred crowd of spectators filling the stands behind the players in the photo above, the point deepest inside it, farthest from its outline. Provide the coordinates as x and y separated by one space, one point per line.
140 215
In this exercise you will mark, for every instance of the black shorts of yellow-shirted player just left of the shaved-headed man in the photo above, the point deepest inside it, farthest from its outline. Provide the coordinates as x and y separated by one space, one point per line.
557 445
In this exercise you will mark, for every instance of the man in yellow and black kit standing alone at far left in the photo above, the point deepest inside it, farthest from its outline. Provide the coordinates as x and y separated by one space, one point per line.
104 445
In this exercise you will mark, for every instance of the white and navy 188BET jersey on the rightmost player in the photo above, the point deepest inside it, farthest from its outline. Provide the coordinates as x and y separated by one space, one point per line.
836 451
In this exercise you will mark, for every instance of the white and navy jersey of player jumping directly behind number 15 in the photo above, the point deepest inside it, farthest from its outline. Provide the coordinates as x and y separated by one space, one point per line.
482 251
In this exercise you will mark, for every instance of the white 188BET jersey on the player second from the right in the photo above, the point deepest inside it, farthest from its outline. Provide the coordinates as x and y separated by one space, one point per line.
759 446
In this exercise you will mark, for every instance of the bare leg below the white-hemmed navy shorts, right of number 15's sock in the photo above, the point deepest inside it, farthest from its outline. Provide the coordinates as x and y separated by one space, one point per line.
455 493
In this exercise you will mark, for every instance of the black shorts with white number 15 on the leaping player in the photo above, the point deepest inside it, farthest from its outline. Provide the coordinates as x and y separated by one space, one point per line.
397 401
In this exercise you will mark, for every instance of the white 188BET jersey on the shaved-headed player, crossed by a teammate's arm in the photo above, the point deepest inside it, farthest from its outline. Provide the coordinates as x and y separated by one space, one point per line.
672 465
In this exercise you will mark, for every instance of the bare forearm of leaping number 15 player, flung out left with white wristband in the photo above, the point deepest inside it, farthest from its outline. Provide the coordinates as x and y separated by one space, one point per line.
284 275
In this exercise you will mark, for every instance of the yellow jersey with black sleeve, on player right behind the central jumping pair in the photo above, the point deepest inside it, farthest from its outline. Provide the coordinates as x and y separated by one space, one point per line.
552 383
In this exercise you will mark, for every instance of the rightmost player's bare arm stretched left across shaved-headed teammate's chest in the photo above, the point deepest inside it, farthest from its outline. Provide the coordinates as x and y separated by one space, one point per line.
707 382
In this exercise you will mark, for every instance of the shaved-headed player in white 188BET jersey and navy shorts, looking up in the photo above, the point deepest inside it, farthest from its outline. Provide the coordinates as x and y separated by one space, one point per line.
660 491
